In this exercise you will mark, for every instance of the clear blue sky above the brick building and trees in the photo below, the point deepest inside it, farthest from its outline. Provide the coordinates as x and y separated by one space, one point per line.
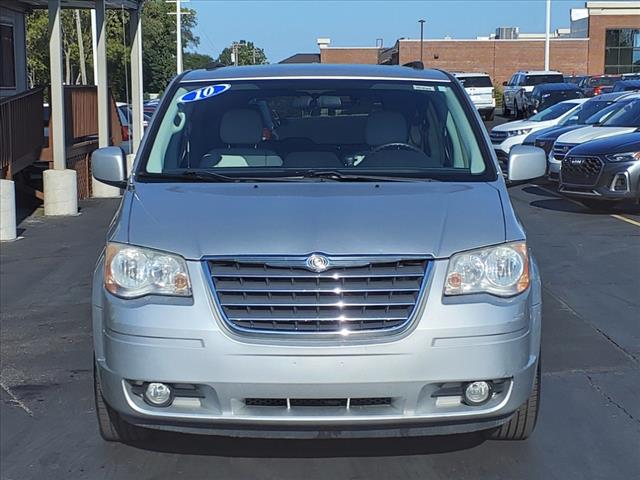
283 27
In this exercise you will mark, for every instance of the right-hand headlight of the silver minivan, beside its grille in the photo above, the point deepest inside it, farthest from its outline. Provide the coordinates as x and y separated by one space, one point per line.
502 270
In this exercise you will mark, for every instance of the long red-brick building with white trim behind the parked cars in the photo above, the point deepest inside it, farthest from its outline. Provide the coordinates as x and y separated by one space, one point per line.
604 37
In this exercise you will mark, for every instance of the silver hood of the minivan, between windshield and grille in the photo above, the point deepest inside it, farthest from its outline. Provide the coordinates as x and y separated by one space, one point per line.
422 218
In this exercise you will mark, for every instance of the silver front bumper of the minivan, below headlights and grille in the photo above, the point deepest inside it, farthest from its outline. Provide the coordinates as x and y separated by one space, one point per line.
451 341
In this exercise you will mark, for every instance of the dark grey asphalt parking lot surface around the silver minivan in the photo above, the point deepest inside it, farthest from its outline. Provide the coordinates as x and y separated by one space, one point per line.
589 426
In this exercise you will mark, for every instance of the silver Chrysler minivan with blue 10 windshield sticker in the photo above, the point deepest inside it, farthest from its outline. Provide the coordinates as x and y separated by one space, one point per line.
316 251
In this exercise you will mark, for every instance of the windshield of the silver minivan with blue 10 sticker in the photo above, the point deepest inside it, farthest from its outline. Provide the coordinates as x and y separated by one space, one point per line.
296 128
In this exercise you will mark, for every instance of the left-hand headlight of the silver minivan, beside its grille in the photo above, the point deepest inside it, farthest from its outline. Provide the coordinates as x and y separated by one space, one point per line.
131 272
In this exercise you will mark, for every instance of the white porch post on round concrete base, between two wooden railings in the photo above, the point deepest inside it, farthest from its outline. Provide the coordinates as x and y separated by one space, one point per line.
61 182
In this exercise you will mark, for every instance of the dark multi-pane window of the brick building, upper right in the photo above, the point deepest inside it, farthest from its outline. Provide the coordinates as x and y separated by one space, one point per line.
622 51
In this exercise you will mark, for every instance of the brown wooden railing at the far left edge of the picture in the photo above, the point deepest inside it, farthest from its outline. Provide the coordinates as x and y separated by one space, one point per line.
21 131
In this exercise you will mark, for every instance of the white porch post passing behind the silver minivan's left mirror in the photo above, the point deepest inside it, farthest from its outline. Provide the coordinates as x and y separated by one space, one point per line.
102 190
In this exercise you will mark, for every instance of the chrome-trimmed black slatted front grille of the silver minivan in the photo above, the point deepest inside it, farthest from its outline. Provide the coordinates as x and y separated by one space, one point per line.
355 294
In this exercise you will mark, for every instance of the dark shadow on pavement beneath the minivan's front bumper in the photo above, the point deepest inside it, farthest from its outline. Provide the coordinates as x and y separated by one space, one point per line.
315 448
